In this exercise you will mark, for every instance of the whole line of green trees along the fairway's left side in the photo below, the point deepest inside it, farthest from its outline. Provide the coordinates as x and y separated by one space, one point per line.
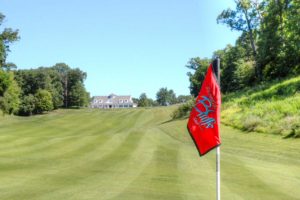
34 91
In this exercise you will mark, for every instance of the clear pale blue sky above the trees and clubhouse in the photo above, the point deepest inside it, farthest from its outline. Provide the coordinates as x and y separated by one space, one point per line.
126 47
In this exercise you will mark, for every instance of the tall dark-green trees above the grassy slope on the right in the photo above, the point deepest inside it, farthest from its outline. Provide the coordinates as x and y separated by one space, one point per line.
267 49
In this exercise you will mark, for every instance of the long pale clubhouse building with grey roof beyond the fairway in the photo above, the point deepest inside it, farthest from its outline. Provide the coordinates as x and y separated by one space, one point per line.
112 101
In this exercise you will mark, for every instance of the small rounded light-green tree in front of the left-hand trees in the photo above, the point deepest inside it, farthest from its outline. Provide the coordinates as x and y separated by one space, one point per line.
43 101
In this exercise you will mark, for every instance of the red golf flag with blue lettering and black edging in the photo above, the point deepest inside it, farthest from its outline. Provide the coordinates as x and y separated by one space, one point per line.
204 120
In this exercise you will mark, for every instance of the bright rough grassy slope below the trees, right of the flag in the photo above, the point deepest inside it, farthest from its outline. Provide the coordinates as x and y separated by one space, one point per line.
272 108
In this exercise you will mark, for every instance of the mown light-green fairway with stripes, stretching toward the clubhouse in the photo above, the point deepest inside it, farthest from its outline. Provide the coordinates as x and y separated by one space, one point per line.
137 154
